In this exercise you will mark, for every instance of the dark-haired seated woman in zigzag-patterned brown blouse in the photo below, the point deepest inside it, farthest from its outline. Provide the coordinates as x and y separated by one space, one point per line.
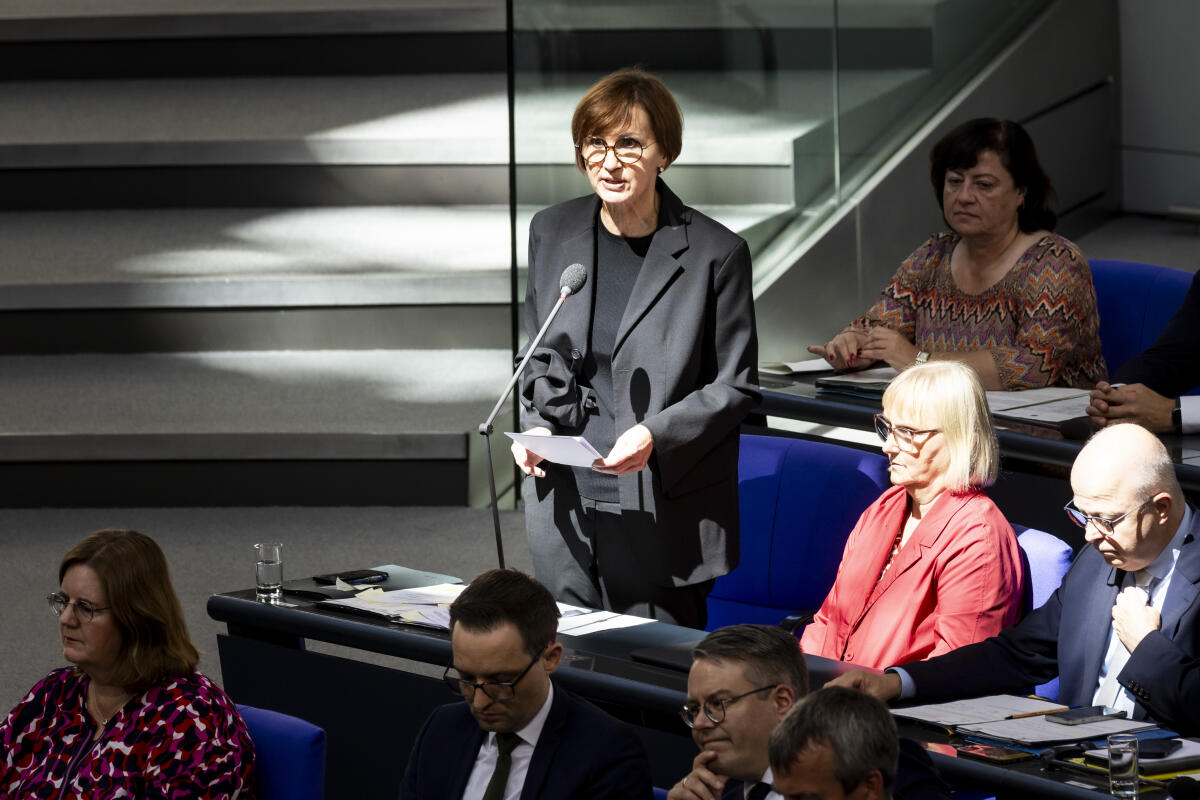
1000 292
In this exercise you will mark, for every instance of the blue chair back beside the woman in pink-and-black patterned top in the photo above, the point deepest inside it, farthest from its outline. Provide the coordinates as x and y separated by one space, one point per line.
290 755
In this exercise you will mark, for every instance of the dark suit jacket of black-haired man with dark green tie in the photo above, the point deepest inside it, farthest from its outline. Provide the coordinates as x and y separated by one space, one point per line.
583 754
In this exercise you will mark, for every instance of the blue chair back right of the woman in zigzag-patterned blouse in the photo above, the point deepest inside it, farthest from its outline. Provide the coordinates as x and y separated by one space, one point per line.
1135 302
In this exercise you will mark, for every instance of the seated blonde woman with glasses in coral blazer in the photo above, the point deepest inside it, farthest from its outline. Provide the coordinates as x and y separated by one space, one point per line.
933 564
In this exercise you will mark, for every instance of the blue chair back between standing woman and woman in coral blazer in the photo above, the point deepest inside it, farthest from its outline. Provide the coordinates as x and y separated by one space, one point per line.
800 501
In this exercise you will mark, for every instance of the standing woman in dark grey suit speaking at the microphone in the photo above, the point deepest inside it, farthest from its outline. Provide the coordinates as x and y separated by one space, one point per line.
653 362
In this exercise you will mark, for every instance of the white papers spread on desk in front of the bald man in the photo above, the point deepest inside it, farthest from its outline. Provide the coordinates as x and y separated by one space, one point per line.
991 718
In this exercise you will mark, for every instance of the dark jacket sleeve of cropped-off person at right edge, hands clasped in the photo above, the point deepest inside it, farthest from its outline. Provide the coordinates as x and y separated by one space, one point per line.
1172 365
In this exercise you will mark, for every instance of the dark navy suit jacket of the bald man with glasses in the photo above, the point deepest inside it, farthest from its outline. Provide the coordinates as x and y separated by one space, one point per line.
1069 636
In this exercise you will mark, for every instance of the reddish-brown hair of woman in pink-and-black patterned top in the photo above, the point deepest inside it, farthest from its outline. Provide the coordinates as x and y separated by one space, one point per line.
137 584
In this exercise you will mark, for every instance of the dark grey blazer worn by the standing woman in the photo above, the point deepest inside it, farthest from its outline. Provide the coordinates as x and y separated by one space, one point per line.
685 366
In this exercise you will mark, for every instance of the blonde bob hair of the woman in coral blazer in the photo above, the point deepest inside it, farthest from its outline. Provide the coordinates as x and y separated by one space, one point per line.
947 396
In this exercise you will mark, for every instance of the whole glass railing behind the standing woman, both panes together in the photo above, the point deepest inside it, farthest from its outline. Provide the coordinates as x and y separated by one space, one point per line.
789 105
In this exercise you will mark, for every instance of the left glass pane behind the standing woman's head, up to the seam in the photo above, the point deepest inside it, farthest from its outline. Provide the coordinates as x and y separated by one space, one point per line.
755 82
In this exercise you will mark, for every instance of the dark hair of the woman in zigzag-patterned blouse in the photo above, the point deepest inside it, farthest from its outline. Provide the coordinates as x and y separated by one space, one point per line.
961 149
